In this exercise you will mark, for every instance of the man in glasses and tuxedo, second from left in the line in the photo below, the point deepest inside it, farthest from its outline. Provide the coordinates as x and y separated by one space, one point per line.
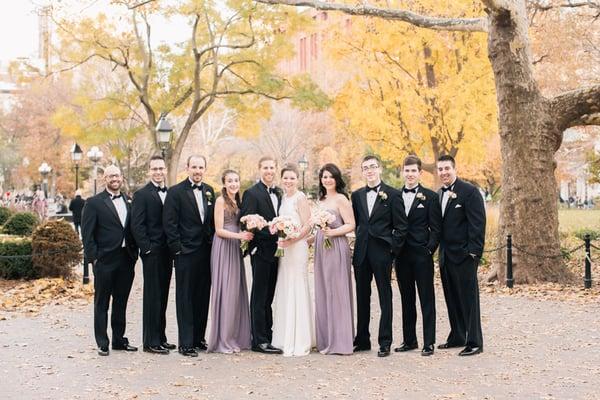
147 229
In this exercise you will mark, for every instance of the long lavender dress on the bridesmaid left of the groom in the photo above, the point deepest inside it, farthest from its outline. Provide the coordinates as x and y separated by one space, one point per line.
230 313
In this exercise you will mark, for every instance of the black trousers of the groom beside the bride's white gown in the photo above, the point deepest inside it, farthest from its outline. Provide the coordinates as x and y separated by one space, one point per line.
264 278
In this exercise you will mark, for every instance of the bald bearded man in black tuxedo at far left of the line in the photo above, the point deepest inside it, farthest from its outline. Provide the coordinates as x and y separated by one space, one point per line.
110 248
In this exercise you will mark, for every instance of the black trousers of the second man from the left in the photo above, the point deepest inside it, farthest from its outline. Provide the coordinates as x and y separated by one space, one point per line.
157 268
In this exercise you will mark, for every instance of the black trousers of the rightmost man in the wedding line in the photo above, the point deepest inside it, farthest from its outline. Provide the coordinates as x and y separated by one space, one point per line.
461 291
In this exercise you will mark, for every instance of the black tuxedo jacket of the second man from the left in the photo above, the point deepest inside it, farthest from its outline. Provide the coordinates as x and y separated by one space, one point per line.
146 219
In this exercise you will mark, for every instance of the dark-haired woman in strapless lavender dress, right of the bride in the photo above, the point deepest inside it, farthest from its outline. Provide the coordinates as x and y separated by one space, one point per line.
333 284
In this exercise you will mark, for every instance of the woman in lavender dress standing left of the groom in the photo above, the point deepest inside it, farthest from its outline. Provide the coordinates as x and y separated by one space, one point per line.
230 313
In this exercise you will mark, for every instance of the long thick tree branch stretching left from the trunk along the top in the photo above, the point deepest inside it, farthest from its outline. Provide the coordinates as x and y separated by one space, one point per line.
423 21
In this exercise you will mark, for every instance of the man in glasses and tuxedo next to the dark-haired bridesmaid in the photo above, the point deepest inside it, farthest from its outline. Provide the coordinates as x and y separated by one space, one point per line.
380 230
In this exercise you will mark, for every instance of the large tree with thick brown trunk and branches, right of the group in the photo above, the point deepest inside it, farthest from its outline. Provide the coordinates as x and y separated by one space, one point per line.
531 125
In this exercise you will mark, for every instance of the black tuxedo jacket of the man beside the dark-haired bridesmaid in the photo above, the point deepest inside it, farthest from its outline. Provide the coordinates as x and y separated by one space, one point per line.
386 223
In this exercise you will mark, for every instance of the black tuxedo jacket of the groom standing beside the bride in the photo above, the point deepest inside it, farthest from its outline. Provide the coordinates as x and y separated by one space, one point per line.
256 200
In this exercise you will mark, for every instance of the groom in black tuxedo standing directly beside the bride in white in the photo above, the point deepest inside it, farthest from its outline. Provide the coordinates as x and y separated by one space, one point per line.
264 199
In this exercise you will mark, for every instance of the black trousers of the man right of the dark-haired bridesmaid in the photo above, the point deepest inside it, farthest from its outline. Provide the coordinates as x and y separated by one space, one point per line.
378 264
